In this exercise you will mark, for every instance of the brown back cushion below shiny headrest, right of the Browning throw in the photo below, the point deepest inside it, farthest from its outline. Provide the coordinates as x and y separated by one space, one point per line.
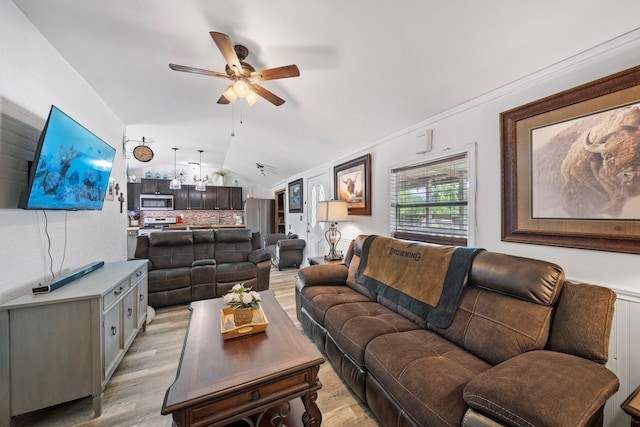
497 327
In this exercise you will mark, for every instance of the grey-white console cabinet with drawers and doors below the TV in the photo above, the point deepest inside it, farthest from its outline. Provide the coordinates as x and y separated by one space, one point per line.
66 344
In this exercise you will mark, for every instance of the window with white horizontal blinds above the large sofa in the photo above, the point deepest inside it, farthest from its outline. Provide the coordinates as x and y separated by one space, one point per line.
430 201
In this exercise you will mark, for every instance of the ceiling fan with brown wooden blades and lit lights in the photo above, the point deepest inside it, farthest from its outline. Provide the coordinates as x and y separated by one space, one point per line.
242 74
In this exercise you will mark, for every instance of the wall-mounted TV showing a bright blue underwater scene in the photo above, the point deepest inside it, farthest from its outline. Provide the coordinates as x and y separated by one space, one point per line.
71 167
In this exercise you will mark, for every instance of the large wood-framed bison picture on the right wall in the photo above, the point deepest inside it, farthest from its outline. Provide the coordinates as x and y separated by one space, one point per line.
571 167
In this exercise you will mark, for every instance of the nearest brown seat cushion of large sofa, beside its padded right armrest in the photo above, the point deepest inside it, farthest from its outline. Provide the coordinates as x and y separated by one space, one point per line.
426 373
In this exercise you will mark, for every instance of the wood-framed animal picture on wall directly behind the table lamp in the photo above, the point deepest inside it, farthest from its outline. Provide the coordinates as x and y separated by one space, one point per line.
352 184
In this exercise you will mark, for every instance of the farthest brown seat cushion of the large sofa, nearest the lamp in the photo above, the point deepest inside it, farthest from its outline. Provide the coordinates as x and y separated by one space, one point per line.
316 300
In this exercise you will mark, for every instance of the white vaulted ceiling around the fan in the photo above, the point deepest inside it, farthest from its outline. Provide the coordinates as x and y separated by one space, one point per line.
368 69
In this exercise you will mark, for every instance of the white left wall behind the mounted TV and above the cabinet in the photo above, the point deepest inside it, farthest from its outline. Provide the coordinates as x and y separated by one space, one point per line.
33 76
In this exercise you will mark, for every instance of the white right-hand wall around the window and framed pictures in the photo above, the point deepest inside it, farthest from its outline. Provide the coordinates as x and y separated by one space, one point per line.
478 121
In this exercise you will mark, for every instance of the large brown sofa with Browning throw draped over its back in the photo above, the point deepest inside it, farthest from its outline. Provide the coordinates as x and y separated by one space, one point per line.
525 348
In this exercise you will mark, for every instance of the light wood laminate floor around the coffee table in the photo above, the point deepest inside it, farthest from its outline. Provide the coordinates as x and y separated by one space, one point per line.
135 393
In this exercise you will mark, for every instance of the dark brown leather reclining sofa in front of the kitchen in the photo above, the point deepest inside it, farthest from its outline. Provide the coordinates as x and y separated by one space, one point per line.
187 266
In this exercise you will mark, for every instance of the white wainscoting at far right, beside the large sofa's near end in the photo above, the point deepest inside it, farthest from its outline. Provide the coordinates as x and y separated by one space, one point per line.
624 355
